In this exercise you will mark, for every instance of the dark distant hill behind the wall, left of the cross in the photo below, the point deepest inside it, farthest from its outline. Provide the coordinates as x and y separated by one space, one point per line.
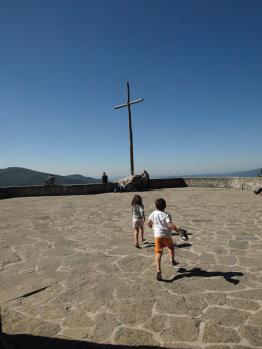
18 176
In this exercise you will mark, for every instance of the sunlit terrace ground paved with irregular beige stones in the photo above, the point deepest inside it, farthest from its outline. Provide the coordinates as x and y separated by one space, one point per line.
68 269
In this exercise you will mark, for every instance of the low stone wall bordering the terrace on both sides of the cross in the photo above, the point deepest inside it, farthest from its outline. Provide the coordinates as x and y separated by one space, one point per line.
247 183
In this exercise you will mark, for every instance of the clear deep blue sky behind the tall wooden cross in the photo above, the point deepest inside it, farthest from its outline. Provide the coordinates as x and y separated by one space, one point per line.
64 66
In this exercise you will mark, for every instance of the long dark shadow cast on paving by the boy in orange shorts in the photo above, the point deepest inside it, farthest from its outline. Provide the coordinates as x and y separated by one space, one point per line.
228 276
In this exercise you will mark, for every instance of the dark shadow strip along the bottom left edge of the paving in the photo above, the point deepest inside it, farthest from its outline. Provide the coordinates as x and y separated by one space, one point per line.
25 341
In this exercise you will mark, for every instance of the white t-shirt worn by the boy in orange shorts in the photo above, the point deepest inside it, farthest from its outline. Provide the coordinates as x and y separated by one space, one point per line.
160 221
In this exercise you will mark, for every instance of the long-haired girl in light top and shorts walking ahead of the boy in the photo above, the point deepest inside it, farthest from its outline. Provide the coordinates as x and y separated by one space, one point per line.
138 216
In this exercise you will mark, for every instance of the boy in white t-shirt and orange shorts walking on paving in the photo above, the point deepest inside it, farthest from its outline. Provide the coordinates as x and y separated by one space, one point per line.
161 222
